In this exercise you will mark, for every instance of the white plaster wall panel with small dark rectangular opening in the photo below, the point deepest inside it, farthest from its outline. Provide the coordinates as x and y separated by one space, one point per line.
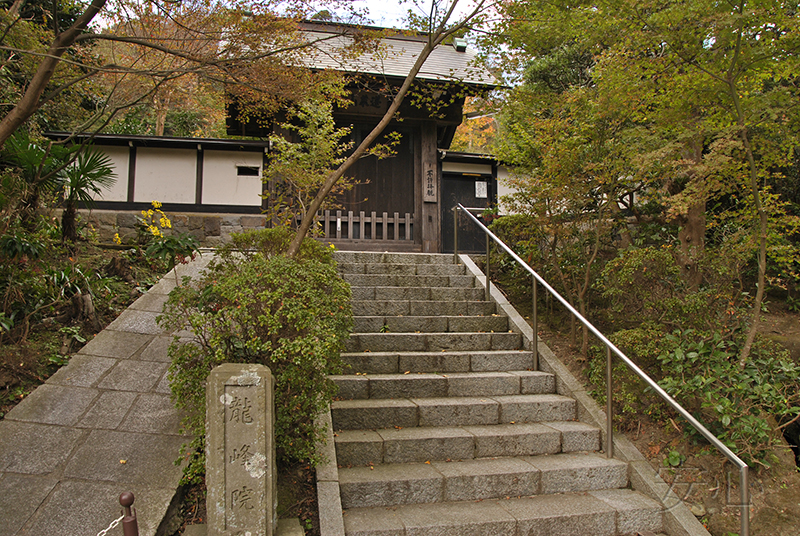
221 184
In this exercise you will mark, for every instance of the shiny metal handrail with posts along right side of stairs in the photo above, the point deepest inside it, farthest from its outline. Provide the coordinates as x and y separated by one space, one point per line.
610 347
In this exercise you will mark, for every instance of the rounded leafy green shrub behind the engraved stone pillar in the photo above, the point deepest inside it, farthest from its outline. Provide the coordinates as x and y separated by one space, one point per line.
292 315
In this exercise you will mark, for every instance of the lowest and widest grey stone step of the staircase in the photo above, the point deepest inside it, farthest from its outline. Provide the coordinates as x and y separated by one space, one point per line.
614 512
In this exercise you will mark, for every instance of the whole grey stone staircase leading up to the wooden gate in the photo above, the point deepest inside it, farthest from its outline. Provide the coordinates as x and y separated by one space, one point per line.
443 428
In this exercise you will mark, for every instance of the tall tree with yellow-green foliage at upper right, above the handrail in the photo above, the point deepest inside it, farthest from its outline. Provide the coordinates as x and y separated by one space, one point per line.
711 94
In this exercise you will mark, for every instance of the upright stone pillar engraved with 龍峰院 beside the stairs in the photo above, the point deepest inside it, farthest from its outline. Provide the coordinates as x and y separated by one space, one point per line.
241 478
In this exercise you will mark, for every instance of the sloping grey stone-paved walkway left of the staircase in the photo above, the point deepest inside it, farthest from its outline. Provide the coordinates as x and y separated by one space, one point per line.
101 425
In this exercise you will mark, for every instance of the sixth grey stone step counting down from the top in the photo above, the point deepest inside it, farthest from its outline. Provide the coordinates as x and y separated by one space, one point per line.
429 324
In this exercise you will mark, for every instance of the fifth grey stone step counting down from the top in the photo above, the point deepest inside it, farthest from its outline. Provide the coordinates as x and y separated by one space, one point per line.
422 308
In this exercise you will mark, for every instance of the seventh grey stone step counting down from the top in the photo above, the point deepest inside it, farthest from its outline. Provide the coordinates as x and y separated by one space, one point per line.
432 342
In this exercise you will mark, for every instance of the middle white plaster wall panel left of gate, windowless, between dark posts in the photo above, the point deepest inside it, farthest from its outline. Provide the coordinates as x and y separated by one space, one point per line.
165 175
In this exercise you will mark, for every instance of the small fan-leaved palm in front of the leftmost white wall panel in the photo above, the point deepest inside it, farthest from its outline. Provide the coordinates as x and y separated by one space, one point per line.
82 179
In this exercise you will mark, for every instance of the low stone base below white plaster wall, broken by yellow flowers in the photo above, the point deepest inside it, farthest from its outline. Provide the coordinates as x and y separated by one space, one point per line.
209 229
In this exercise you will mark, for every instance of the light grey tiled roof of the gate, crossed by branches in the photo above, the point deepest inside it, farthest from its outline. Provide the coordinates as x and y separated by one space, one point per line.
394 56
